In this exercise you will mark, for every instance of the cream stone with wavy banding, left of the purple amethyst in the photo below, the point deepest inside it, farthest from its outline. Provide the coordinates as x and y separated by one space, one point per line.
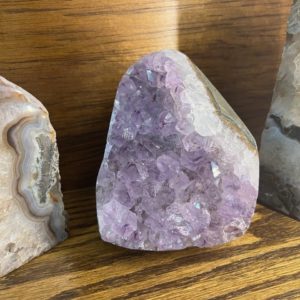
31 209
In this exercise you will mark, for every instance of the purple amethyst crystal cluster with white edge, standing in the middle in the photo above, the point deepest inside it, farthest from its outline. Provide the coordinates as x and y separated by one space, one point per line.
180 168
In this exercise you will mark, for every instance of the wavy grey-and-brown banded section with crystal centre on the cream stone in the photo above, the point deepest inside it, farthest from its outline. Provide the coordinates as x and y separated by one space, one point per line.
38 183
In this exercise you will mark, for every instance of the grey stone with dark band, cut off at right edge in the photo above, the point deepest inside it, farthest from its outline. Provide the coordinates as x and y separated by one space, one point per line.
280 141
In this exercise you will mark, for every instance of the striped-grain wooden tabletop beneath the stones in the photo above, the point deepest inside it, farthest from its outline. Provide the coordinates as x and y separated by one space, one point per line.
264 264
